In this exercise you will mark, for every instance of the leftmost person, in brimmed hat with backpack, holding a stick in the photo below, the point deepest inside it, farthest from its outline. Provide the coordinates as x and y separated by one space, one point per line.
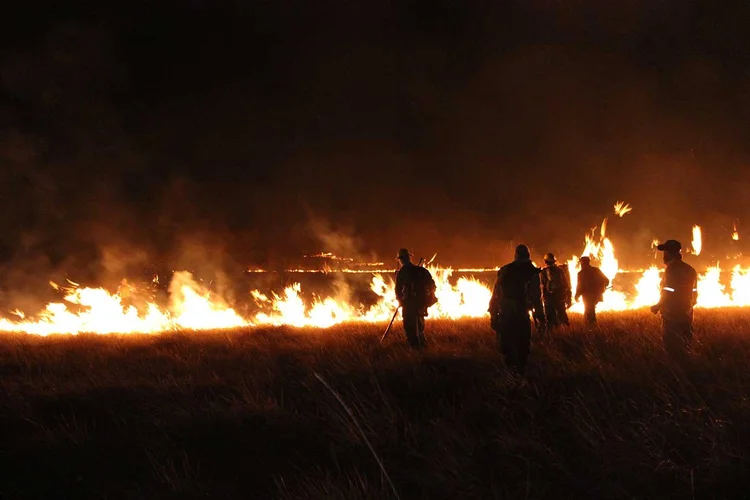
415 292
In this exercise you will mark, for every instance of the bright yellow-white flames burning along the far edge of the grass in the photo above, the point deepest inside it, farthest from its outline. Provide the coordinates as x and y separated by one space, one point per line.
193 307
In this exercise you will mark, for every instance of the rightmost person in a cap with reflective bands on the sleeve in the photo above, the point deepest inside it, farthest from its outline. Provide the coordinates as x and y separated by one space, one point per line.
679 293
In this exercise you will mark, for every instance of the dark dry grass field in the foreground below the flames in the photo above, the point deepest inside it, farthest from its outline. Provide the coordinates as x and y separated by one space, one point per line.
240 414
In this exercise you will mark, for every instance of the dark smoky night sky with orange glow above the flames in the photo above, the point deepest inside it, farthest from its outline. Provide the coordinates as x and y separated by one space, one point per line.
250 133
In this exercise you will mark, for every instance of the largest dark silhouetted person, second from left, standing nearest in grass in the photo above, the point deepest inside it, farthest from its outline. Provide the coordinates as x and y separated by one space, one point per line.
517 291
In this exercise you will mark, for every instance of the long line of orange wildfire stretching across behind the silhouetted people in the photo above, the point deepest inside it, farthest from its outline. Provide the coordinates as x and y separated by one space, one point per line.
183 302
